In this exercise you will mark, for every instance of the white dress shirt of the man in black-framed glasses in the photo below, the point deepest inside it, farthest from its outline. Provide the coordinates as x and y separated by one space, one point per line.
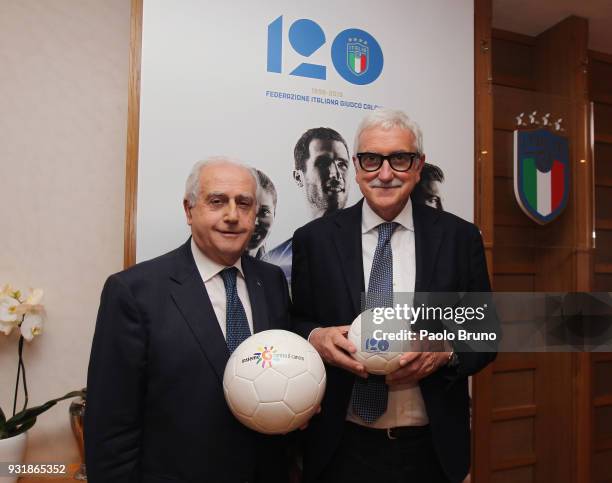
405 405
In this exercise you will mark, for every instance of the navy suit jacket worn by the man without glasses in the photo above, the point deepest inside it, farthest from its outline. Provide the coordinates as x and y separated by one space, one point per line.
155 405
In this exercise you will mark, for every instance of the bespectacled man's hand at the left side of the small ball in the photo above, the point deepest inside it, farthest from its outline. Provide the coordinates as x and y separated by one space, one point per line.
335 349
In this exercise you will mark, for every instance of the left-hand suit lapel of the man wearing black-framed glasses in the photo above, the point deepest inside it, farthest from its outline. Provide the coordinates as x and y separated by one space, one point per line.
347 240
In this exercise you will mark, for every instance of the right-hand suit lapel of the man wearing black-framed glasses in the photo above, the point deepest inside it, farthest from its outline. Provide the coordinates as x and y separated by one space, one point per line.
427 238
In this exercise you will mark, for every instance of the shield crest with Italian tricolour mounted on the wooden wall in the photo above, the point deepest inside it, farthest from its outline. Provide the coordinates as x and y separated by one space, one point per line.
541 173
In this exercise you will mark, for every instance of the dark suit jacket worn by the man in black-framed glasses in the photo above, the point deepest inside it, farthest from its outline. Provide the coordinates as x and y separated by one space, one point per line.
327 283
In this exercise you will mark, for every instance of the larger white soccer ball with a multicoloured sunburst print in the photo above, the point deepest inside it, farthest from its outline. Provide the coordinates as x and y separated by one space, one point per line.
274 381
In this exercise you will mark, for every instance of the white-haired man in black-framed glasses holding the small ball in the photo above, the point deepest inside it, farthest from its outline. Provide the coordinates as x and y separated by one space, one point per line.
412 426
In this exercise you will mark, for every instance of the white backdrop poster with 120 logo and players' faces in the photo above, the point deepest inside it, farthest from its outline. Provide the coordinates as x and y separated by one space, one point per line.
247 79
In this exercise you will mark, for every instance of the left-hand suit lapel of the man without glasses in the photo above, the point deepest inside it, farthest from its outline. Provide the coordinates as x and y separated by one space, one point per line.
192 300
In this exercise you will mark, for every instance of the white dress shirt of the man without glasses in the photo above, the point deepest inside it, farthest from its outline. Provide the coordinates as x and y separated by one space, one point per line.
213 281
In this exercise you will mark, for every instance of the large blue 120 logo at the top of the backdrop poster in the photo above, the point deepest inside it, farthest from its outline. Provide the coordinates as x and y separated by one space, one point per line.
355 54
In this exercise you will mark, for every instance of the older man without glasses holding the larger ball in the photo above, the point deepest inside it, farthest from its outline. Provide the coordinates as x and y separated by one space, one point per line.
165 330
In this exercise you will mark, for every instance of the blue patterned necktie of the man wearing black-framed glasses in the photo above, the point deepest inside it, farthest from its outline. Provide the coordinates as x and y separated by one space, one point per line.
370 396
